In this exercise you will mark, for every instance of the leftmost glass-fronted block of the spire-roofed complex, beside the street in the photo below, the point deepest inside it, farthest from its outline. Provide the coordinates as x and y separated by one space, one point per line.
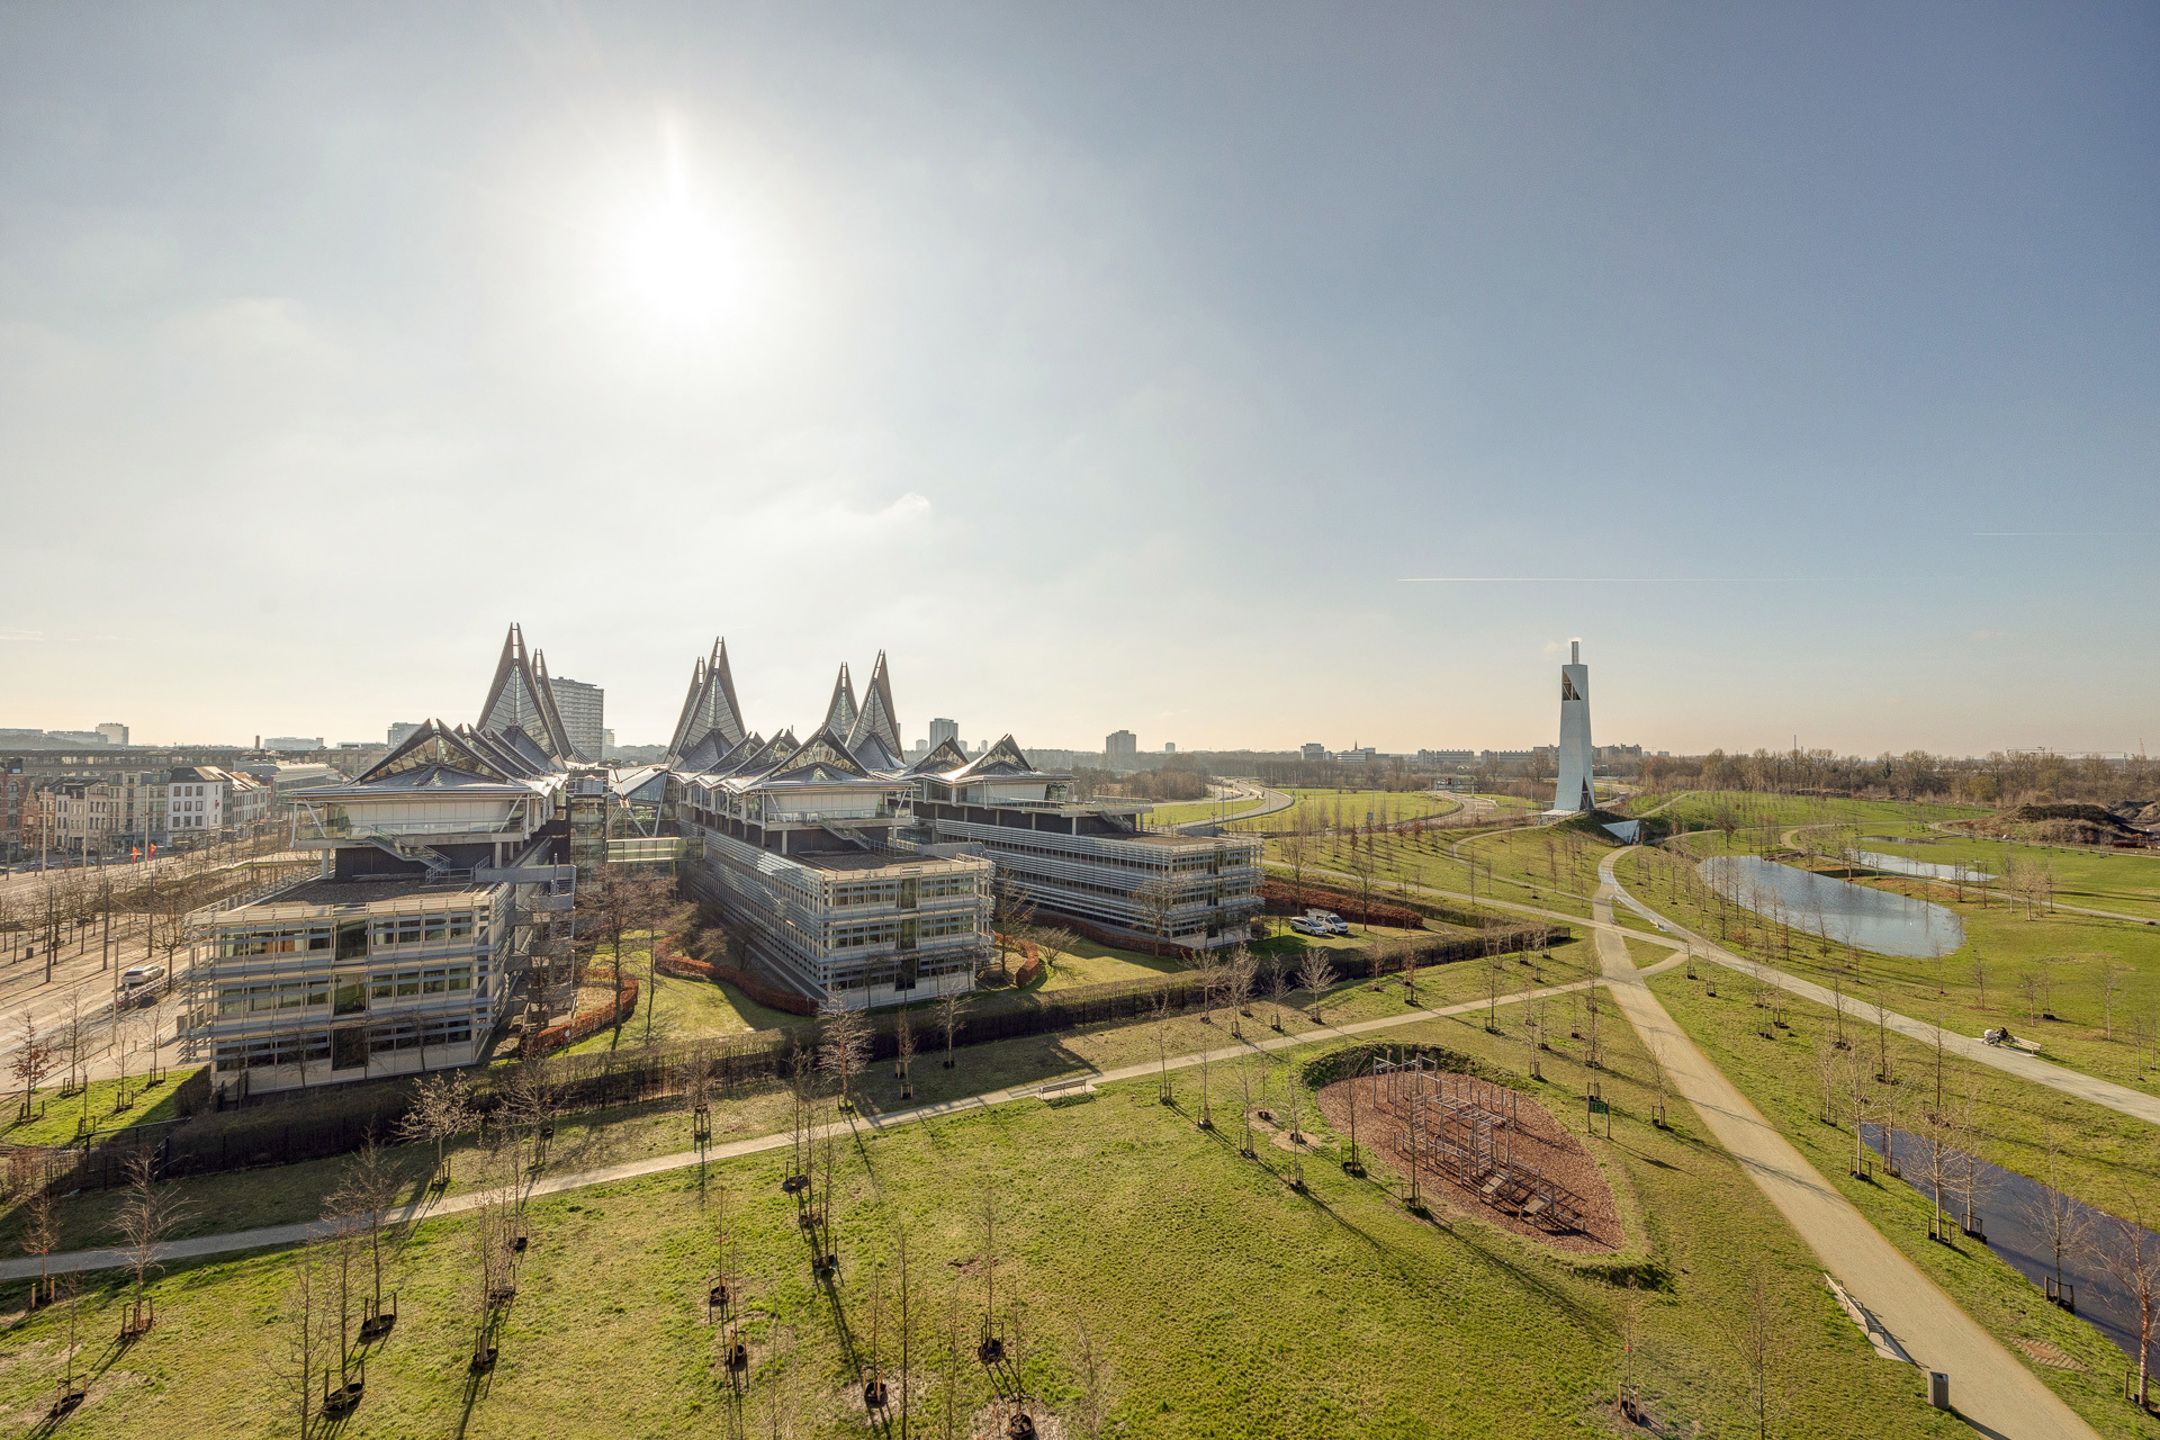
444 878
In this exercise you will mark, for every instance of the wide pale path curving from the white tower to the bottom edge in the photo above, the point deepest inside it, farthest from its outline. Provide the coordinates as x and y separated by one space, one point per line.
1990 1389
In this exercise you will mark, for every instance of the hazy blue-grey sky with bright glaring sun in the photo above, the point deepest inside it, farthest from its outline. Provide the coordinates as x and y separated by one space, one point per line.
1237 375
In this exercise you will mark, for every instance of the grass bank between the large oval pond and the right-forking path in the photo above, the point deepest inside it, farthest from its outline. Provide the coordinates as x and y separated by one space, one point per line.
2012 970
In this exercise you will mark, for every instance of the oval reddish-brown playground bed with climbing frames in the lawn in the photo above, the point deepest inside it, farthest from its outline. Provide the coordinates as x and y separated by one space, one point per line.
1530 1141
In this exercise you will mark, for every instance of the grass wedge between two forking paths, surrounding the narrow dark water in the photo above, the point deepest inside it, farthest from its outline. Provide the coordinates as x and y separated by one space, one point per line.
2103 1158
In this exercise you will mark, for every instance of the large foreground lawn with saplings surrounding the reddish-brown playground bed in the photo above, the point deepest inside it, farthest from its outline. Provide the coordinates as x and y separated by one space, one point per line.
1213 1296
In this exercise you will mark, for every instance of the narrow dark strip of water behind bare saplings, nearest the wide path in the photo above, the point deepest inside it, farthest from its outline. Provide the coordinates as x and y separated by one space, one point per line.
2012 1214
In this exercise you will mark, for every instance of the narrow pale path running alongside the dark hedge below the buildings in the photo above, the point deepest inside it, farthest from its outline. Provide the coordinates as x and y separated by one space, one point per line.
271 1236
